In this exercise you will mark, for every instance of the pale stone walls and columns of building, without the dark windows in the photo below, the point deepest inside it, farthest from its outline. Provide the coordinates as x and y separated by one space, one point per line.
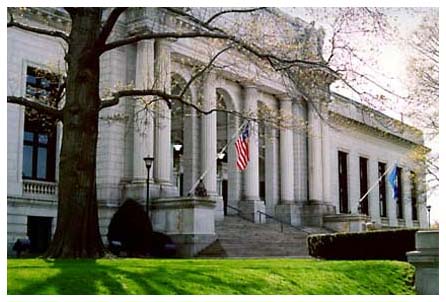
294 179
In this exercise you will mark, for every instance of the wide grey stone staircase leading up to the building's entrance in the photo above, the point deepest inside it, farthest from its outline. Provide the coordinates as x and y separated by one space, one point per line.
237 237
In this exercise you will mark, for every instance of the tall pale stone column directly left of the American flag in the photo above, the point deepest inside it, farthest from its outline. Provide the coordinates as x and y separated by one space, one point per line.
209 135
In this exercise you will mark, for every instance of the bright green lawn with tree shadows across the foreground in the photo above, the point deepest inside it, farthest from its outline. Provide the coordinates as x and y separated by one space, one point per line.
202 276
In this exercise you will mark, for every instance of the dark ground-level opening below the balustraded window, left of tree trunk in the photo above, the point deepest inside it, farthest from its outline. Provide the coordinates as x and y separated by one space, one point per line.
39 233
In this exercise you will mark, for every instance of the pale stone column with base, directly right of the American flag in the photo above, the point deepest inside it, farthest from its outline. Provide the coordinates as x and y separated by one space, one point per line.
251 203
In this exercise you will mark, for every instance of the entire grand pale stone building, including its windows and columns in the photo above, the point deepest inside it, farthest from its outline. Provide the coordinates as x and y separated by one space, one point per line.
305 178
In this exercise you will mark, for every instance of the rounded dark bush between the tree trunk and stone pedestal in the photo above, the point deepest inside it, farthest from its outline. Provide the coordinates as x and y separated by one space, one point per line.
130 230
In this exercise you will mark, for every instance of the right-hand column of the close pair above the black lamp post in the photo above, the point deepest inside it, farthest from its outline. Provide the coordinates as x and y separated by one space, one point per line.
163 152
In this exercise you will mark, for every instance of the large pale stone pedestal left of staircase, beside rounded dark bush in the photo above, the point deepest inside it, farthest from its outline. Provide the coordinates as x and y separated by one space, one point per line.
189 221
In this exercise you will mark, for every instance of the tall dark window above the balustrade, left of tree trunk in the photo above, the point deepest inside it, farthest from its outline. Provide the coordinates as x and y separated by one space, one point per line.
39 140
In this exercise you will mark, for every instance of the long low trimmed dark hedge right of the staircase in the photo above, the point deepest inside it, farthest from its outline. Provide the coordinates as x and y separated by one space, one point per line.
388 244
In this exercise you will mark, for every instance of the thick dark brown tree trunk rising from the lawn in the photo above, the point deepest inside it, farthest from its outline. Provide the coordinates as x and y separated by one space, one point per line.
77 232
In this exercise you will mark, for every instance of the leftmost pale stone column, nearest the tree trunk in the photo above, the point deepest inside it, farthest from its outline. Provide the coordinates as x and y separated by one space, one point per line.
142 121
